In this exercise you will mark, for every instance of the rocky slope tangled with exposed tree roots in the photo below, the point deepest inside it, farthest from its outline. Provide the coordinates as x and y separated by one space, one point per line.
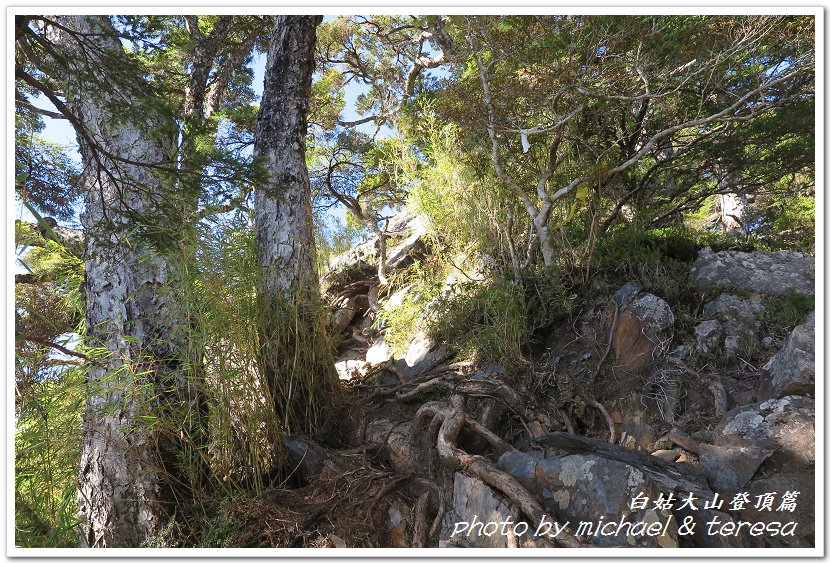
616 406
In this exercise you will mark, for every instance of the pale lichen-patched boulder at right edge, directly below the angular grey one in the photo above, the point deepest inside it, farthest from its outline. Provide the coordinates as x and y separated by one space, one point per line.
785 427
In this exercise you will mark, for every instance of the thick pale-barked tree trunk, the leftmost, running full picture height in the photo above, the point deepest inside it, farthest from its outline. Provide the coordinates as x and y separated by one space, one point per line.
130 315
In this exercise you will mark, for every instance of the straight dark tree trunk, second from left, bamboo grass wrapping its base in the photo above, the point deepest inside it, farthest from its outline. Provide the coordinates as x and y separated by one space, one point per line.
293 356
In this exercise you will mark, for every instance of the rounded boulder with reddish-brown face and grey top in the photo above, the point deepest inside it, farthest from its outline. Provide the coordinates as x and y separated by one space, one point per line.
639 335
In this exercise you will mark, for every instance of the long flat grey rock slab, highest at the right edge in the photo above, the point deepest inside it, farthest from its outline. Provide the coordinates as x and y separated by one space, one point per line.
767 273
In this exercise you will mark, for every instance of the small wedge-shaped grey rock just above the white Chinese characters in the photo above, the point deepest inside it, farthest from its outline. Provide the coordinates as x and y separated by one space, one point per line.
729 468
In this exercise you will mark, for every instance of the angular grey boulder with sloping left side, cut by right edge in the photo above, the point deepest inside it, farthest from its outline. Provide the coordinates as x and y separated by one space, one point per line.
792 371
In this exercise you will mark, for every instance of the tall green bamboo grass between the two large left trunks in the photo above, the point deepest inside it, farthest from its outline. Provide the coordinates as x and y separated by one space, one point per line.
219 299
